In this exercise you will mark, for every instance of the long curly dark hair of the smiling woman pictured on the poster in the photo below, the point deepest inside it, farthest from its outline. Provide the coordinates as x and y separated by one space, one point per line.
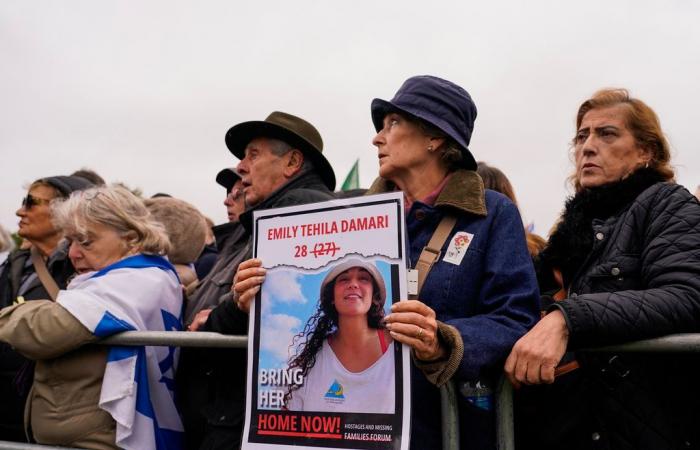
322 324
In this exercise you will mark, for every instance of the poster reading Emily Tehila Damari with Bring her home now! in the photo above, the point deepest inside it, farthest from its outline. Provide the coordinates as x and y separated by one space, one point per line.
333 271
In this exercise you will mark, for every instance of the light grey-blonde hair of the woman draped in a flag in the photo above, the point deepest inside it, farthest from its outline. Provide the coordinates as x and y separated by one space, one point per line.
117 208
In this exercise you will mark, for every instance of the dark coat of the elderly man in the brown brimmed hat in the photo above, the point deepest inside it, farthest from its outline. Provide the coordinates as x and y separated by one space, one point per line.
226 406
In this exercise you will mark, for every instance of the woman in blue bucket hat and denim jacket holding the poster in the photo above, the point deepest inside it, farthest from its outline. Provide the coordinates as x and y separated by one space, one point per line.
472 307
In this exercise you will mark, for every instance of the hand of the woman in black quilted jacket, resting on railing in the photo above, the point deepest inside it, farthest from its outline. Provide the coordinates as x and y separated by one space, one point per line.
535 356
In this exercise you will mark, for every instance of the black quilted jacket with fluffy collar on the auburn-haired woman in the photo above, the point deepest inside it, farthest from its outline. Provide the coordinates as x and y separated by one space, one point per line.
630 254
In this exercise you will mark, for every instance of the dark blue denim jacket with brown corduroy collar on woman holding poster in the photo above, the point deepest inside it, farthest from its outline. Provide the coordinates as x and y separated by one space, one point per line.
484 304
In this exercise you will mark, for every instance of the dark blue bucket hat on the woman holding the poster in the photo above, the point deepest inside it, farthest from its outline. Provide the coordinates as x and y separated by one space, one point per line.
439 102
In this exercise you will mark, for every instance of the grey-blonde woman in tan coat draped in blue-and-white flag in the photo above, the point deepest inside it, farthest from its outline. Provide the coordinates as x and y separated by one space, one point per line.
91 396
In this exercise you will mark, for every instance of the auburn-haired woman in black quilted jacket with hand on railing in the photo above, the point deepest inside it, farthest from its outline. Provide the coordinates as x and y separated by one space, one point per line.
626 251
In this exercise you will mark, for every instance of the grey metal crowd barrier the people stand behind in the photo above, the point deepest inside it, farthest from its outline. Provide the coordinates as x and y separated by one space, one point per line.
676 343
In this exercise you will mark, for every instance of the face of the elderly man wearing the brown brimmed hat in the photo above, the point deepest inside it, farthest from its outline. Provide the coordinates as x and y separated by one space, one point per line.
262 172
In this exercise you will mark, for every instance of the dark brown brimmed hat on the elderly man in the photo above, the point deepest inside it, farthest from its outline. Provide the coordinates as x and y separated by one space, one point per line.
293 130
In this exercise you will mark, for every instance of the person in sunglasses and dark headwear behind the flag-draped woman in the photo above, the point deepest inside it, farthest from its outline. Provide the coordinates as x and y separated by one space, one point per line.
19 282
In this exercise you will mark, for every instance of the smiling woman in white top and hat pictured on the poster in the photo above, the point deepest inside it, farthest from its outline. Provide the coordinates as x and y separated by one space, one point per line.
345 347
